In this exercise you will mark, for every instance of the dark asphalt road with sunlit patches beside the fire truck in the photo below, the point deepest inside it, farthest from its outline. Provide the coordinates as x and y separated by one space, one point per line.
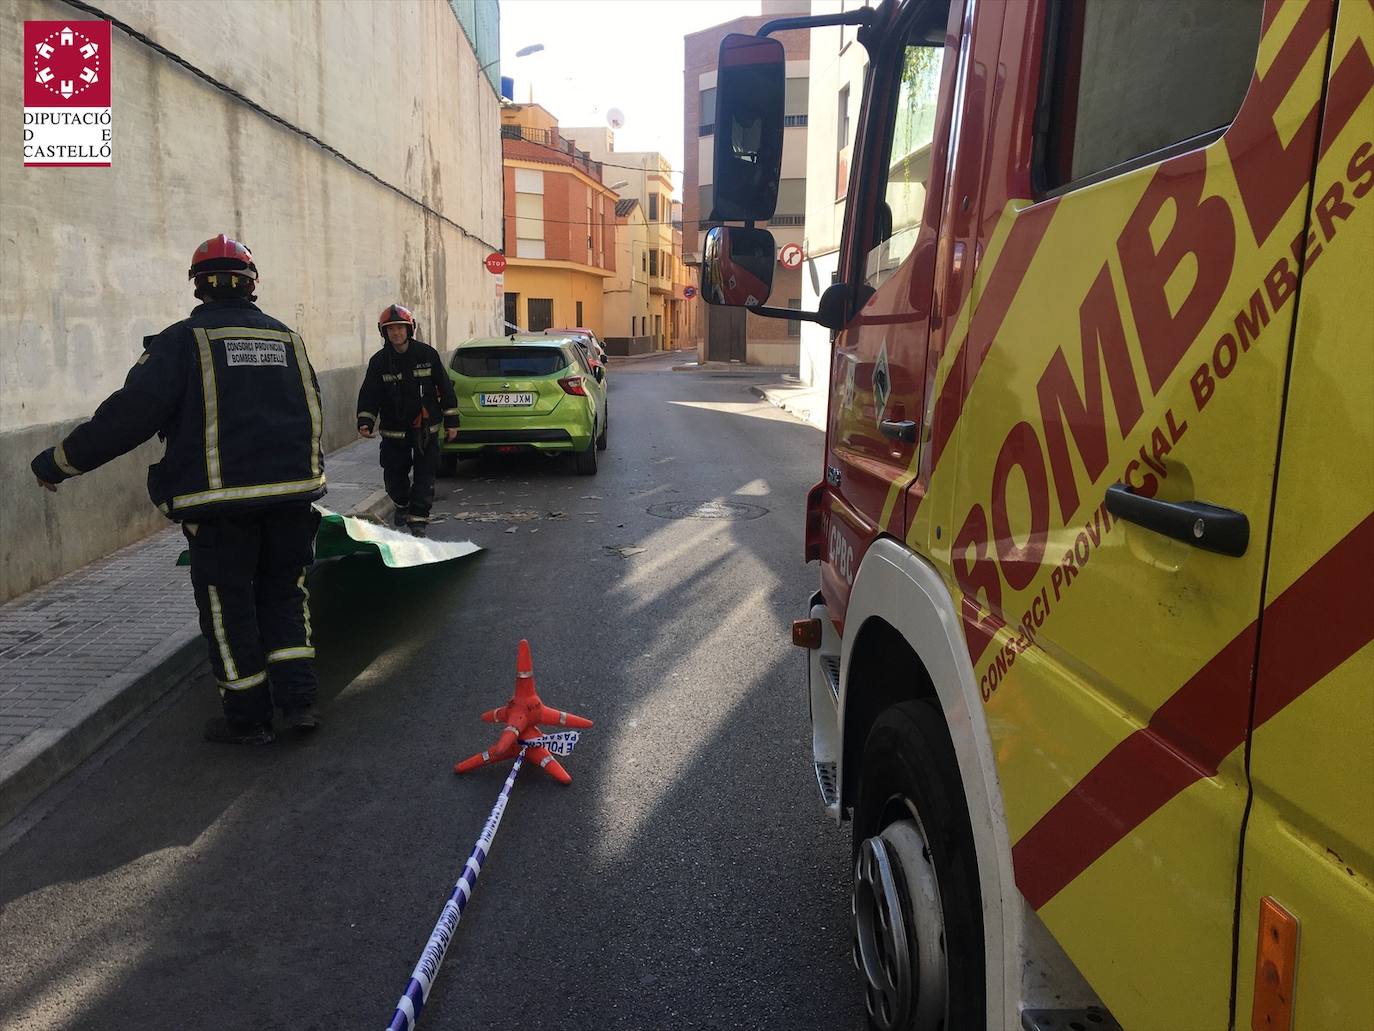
688 879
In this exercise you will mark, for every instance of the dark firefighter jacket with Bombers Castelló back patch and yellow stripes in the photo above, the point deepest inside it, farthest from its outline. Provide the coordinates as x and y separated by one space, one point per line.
233 394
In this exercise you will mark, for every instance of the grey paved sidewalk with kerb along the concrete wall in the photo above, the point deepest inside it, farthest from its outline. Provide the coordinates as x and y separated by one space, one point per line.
86 654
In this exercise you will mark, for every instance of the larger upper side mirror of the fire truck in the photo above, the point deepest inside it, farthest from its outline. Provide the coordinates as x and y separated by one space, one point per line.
751 85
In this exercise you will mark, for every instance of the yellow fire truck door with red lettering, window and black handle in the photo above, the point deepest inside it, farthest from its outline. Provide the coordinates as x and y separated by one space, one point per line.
1115 467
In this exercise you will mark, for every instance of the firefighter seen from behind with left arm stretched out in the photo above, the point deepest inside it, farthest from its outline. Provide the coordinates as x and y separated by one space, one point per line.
233 394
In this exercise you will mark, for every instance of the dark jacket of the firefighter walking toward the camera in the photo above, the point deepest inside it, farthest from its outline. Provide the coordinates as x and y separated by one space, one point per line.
405 392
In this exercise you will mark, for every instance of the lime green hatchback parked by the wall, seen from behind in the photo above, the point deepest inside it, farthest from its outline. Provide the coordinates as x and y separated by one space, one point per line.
526 395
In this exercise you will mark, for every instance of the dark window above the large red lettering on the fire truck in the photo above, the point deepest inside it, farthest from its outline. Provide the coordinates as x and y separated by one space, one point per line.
1129 80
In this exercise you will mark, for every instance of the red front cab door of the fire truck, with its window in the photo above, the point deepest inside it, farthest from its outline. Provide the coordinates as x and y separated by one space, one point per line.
880 357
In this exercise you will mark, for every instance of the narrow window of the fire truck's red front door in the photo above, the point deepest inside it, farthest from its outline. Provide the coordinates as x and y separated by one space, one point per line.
909 157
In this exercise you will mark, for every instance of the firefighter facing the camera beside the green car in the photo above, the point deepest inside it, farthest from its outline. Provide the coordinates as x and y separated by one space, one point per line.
407 397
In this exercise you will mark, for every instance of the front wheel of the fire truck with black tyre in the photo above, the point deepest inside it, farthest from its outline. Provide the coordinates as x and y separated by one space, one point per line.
917 911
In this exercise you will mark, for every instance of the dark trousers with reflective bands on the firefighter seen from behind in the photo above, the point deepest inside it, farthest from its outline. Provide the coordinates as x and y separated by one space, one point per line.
249 578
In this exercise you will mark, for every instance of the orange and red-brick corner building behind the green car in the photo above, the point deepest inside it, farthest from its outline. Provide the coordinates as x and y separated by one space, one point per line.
560 226
